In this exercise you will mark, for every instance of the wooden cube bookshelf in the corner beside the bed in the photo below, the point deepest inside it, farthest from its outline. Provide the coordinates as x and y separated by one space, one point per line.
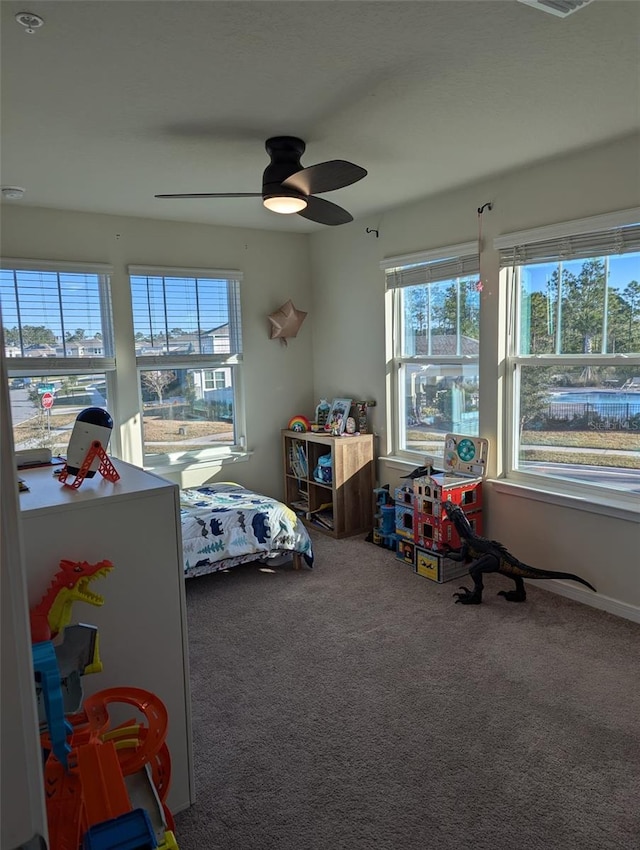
343 506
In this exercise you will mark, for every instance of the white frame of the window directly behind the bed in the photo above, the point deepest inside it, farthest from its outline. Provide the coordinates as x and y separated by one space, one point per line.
232 361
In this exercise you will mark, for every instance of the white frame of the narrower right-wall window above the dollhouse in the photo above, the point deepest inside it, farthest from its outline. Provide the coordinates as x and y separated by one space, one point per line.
430 266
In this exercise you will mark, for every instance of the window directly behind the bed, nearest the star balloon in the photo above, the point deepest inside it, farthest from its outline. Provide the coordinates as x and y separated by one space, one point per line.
189 353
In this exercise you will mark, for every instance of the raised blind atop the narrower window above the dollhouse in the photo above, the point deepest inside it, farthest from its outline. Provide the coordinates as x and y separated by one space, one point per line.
432 266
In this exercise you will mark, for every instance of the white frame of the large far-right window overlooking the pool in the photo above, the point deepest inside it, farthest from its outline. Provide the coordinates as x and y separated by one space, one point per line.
536 243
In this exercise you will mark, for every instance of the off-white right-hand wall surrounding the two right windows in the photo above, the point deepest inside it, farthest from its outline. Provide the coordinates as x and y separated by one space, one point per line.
349 351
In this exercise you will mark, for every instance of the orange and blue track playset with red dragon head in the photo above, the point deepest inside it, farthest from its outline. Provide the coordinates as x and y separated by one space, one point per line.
91 803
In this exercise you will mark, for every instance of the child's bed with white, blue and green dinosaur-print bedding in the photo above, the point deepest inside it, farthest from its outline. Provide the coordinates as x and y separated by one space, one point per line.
225 524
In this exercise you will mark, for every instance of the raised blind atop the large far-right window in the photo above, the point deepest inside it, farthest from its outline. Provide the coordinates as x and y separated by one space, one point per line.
539 247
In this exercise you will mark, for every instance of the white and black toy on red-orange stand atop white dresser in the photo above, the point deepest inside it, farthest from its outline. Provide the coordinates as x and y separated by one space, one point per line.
87 453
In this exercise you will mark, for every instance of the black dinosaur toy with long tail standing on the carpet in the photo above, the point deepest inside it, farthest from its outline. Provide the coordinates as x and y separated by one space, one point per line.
489 556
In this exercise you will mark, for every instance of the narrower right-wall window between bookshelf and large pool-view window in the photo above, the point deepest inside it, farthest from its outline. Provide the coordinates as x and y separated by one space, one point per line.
433 318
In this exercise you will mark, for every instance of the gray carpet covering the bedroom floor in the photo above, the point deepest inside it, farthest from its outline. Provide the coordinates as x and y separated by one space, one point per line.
356 706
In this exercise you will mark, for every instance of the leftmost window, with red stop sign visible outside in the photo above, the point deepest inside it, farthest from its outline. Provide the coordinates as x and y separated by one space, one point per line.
58 334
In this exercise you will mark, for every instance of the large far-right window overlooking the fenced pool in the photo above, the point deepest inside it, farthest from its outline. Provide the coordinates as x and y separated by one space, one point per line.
574 353
